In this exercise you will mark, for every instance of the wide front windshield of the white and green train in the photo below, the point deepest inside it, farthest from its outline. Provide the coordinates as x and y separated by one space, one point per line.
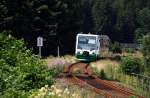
87 42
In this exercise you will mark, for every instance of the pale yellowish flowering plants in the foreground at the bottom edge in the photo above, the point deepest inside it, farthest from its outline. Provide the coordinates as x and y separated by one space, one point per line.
65 91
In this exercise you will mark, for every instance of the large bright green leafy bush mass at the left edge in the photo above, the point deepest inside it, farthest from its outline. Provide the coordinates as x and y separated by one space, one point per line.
20 70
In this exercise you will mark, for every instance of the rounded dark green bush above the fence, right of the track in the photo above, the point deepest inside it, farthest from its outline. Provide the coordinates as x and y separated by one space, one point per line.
131 65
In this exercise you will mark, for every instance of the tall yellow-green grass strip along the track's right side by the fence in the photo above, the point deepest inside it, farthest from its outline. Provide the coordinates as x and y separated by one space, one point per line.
133 82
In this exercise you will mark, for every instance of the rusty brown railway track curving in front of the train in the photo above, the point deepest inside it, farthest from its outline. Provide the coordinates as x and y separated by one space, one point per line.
83 76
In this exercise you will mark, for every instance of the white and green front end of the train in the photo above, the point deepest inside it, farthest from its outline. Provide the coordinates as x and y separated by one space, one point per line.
87 47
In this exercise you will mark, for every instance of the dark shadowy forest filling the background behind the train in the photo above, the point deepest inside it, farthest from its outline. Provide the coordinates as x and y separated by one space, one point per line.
59 21
